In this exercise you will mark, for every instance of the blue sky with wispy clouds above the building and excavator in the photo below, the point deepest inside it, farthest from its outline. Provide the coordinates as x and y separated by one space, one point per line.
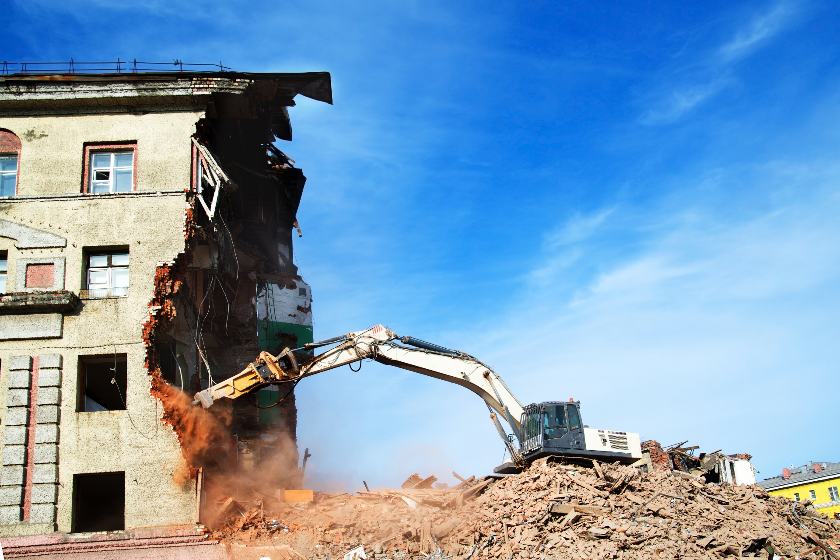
634 205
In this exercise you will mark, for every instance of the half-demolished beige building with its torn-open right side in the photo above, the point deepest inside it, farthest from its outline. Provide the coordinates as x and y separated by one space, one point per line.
146 225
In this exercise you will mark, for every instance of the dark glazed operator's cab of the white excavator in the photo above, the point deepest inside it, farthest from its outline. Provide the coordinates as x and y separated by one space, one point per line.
552 428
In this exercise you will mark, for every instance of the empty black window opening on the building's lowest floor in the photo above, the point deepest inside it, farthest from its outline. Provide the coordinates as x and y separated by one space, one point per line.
98 502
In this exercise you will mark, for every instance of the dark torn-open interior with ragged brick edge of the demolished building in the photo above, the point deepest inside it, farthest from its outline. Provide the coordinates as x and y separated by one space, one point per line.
203 324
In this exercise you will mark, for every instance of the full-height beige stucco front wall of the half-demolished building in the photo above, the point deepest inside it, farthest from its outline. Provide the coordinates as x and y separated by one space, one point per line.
151 226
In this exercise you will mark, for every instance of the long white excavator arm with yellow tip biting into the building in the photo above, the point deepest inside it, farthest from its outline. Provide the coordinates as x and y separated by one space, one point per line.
380 344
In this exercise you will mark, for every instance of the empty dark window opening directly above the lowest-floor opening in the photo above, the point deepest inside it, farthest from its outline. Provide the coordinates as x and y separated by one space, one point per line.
102 383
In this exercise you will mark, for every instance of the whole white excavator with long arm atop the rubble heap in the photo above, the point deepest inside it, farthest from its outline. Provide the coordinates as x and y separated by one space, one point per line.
547 429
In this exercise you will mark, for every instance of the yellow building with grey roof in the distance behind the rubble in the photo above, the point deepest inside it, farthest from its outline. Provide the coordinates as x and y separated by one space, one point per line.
818 483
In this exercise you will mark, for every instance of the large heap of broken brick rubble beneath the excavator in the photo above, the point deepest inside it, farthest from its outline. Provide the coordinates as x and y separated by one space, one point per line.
550 510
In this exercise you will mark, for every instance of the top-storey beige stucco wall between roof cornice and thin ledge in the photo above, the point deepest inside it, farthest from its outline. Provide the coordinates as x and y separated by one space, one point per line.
52 152
